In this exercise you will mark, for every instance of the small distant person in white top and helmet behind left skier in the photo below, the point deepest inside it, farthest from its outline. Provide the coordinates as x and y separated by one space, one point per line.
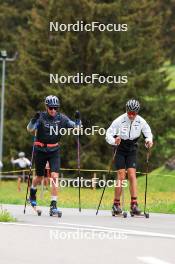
22 163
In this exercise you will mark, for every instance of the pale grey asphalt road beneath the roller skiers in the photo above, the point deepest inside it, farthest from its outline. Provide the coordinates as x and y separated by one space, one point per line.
86 238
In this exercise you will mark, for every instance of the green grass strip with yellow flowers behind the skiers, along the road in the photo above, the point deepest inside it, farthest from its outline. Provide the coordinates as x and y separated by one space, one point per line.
161 194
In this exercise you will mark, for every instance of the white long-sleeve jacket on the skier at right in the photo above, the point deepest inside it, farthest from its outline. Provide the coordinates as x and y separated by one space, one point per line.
128 130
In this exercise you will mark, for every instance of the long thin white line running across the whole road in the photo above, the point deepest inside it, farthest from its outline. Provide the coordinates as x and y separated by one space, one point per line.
94 228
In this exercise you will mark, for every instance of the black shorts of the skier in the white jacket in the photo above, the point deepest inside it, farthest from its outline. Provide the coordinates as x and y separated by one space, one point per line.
125 160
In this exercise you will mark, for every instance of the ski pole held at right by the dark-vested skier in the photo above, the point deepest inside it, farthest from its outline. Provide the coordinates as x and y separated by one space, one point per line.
77 121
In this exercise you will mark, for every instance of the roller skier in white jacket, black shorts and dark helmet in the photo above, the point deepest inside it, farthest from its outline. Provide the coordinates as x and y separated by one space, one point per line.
124 133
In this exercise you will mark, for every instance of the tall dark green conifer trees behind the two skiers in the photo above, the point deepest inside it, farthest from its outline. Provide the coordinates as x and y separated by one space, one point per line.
137 53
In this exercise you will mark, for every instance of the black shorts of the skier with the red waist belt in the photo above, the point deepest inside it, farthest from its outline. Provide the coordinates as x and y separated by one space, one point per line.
41 158
